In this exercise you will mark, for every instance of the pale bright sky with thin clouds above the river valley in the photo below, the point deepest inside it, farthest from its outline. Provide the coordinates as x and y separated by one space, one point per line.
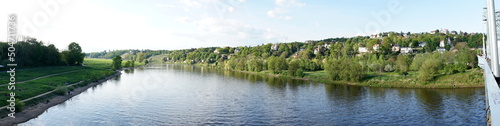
99 25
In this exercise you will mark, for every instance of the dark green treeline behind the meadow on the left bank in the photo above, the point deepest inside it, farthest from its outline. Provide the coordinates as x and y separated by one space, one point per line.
34 53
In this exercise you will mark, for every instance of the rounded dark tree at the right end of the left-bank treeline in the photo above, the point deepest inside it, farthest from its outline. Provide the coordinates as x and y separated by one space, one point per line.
74 55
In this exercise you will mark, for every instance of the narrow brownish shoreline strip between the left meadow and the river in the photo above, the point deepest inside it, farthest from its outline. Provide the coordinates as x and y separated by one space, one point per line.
34 111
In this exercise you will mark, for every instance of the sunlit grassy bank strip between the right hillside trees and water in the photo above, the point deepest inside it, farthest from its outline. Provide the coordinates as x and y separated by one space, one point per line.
470 79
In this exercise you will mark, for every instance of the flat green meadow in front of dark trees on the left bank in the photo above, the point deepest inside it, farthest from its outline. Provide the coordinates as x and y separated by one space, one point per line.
94 69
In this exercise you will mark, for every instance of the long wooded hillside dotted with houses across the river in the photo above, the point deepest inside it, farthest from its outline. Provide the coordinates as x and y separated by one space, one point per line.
339 57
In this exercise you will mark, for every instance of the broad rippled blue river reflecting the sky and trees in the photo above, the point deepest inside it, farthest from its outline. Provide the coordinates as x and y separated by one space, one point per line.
187 95
